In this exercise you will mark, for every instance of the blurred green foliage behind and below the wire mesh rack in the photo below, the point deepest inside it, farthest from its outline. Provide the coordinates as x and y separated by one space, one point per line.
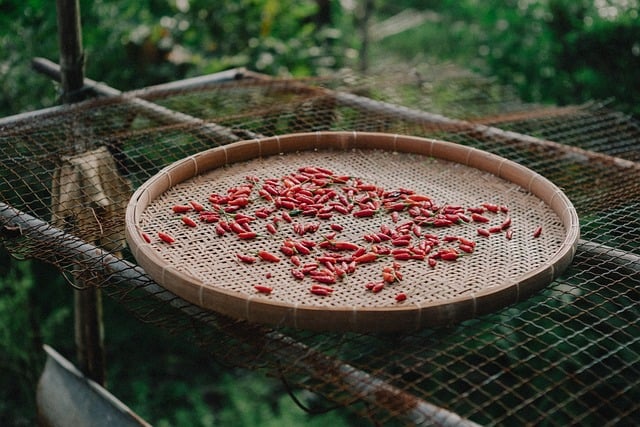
550 51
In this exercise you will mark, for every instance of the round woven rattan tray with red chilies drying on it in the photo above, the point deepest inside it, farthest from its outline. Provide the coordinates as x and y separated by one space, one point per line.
202 266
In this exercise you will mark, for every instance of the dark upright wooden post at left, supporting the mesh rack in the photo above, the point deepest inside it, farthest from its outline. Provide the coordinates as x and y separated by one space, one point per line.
89 335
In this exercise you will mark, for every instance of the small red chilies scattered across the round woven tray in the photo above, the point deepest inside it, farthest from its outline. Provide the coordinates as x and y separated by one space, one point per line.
317 195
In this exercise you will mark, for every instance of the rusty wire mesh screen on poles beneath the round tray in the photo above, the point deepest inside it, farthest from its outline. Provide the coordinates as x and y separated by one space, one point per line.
568 355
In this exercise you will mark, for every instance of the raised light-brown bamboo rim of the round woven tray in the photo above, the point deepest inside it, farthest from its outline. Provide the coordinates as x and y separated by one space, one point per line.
409 316
